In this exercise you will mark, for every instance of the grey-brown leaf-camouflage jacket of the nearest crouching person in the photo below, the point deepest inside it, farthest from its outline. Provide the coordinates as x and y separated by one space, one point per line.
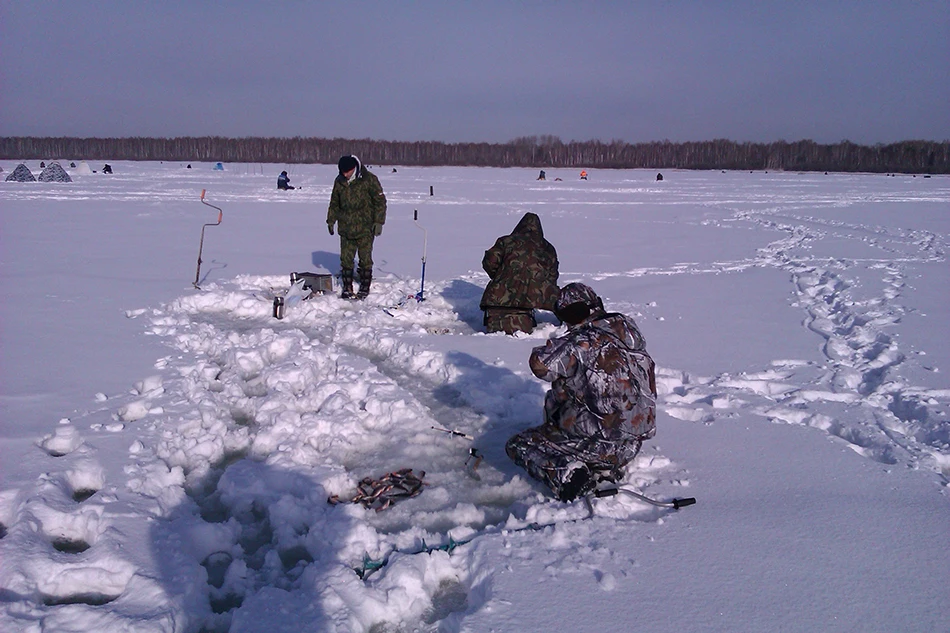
602 379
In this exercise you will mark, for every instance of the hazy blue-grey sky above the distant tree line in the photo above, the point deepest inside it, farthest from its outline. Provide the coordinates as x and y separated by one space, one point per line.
869 72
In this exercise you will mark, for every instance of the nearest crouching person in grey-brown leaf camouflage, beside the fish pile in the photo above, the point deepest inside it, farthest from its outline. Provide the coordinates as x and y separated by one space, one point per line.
602 401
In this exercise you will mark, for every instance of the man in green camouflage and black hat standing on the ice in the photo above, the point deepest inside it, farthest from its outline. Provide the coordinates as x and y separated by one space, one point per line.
358 208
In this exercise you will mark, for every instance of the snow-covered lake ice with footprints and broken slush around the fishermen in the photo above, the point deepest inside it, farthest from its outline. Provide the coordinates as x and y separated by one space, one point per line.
168 452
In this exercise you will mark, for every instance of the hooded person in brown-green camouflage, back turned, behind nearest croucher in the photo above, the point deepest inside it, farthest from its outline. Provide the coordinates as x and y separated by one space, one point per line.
523 268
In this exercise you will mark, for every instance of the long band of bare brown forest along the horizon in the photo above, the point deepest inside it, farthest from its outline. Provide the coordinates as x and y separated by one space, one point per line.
544 152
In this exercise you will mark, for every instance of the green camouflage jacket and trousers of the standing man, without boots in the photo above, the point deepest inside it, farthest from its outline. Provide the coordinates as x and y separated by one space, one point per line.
358 208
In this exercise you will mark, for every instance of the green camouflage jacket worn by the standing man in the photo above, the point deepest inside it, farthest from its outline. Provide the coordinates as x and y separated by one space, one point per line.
356 206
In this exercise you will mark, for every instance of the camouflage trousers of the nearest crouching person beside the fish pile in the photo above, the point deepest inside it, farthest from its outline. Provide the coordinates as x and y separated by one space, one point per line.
550 455
